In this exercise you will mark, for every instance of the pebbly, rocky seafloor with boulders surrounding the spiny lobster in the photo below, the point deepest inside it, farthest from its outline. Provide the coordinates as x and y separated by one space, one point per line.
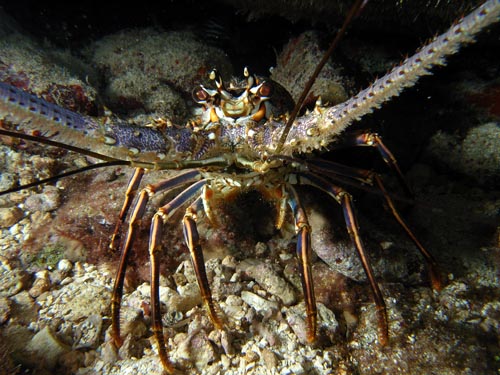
57 273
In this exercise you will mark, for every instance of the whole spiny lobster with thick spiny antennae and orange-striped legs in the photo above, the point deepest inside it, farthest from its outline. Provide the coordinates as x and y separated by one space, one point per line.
239 142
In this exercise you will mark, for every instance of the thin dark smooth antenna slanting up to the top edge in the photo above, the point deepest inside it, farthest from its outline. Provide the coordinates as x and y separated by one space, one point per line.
353 12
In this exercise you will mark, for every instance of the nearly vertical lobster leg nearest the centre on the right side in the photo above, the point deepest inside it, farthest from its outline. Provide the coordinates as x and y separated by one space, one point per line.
304 253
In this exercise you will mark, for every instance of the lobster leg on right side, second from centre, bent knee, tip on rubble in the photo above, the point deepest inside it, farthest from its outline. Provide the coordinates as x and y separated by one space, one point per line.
345 200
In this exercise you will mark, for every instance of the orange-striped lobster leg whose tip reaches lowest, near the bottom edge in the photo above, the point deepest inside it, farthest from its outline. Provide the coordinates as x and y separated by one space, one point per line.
159 220
